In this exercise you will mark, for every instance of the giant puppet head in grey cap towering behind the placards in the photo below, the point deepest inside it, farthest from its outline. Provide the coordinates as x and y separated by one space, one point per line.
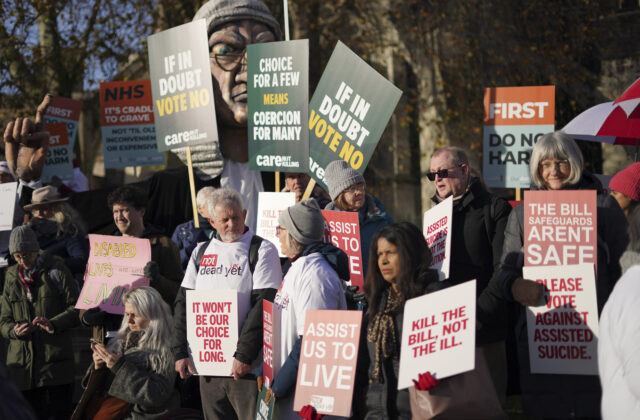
231 26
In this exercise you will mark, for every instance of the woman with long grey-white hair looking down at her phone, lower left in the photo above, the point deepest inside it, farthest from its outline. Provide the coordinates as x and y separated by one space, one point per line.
132 377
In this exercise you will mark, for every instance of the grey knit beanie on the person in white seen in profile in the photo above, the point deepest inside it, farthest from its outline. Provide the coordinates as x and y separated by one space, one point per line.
304 221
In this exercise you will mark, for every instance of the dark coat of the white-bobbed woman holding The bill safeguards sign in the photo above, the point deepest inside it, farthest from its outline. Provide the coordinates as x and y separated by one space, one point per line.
564 396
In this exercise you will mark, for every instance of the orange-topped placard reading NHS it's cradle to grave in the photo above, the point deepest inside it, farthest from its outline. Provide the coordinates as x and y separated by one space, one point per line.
128 132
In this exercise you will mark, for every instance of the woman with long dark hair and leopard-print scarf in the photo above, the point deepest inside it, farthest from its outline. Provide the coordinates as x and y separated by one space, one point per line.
398 270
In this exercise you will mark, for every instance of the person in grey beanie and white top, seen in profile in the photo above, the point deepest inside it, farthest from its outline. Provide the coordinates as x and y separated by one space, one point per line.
312 282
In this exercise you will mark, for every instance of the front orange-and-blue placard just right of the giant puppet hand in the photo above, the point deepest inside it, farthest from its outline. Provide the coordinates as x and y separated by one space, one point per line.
59 160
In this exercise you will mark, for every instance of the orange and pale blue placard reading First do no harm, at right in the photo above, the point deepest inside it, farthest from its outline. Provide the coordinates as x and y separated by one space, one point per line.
514 119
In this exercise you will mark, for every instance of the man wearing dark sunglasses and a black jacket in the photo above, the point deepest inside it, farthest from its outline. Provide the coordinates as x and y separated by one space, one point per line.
479 220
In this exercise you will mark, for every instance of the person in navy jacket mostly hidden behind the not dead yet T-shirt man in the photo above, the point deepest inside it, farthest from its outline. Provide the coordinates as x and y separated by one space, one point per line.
187 235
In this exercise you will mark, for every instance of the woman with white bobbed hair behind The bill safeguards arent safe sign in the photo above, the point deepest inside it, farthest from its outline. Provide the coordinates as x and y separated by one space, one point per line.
557 164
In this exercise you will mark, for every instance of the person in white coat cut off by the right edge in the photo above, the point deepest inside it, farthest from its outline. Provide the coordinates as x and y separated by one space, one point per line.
618 362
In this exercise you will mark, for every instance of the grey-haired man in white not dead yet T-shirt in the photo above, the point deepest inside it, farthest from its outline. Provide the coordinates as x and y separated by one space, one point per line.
258 276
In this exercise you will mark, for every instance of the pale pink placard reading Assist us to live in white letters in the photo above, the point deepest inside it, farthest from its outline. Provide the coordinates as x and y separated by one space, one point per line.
327 368
